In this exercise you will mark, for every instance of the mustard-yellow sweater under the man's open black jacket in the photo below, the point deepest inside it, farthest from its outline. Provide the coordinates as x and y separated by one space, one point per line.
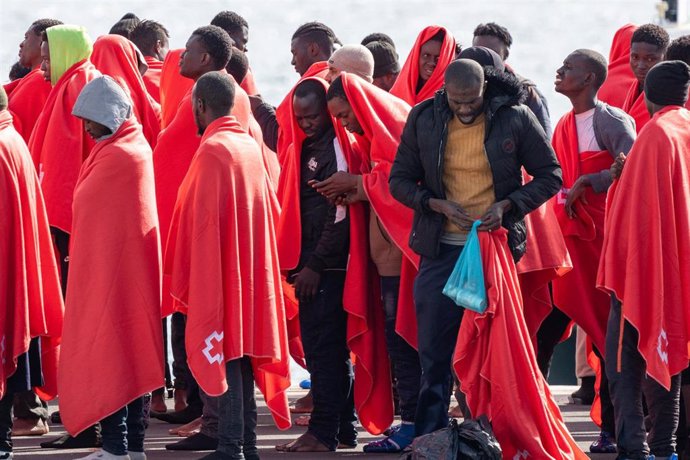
467 174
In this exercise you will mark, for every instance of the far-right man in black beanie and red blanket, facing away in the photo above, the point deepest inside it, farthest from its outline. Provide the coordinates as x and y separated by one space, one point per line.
642 267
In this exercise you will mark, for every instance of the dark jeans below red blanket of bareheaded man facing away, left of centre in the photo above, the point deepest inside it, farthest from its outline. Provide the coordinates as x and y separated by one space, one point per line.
237 414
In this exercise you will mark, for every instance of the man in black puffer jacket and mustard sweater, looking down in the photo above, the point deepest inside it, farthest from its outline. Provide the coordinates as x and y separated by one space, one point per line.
460 160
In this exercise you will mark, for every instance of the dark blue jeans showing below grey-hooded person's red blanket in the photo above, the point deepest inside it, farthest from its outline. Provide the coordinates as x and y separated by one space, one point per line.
124 430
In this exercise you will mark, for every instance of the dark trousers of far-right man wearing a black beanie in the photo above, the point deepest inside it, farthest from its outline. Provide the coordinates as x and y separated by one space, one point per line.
627 388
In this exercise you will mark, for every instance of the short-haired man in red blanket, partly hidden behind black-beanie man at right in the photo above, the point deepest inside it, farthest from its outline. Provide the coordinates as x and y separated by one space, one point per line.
647 47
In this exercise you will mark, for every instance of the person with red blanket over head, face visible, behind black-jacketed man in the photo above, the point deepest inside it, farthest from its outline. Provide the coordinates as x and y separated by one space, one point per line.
422 74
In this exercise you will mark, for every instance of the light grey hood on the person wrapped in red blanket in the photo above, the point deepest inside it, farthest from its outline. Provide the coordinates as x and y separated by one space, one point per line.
103 101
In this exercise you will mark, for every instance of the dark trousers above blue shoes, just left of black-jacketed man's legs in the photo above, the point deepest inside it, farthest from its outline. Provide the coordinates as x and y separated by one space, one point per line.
404 358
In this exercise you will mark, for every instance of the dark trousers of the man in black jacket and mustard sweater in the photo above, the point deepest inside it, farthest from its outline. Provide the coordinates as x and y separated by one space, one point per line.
438 323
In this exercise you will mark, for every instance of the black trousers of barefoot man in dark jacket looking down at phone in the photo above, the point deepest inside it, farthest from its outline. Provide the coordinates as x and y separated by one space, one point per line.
323 324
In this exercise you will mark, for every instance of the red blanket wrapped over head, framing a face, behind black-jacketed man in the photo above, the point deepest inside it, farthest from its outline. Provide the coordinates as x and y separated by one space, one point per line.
405 86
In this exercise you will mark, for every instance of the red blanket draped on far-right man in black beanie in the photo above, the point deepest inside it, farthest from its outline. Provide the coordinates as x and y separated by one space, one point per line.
646 247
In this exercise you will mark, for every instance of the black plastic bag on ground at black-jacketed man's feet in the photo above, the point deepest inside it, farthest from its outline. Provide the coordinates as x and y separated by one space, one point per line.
470 440
